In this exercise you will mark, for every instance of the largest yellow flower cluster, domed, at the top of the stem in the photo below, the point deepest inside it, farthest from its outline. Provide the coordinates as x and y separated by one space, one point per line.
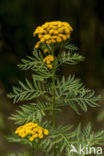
52 32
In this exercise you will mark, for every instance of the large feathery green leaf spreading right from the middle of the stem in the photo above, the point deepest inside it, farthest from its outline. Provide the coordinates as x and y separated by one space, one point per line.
72 92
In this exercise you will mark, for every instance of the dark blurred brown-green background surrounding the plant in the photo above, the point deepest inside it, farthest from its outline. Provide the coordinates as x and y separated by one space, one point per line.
18 19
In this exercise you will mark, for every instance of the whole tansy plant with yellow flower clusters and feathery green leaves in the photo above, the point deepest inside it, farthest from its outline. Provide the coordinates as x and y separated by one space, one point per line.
49 92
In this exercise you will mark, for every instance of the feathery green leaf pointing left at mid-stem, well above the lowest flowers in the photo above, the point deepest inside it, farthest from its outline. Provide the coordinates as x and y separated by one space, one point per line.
27 91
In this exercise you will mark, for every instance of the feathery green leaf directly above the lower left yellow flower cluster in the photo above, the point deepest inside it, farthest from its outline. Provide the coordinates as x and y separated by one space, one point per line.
32 112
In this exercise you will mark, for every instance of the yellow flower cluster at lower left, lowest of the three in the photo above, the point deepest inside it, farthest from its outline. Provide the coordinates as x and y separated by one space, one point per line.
32 130
